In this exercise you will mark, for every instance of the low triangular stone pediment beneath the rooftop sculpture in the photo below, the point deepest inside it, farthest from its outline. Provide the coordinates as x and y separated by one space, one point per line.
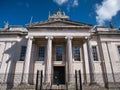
57 23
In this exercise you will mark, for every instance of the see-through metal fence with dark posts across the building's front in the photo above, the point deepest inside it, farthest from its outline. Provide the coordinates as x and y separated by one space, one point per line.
79 82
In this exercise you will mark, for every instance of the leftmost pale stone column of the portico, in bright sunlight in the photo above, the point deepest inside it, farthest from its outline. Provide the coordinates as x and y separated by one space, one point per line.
26 66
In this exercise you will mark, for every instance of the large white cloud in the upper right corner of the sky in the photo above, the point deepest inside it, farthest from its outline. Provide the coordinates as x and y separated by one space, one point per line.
107 10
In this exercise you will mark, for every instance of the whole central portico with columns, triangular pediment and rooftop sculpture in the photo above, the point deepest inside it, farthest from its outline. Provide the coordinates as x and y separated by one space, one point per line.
57 44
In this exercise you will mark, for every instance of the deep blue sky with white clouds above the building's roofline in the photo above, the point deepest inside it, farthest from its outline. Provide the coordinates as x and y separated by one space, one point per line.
96 12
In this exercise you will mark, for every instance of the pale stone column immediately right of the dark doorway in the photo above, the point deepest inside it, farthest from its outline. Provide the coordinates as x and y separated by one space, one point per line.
69 58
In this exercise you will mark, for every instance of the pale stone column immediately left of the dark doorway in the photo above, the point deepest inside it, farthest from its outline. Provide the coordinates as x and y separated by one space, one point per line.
49 59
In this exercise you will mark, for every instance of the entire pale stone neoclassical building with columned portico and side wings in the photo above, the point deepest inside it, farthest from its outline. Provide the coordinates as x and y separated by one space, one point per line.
59 46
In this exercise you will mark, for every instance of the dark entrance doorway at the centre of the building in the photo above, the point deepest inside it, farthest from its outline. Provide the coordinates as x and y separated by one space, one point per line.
59 75
